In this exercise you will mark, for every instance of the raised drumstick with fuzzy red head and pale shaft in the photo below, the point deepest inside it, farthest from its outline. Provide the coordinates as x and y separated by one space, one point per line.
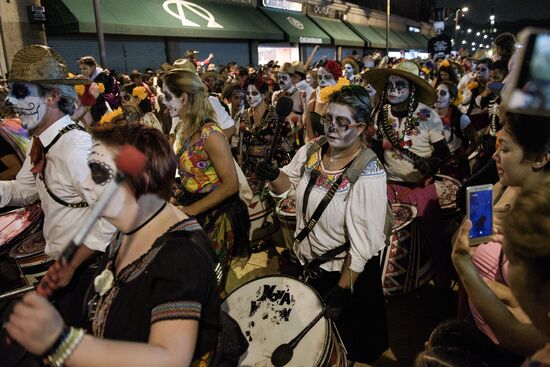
130 162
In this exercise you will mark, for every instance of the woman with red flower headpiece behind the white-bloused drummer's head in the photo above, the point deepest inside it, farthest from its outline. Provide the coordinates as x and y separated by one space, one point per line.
327 76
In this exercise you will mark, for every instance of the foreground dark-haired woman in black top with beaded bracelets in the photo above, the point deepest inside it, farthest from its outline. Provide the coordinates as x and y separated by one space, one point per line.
154 300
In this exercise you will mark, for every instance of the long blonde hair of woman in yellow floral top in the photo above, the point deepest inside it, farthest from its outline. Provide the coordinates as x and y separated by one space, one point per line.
197 110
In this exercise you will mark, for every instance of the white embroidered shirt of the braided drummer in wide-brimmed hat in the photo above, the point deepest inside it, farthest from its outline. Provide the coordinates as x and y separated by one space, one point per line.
398 166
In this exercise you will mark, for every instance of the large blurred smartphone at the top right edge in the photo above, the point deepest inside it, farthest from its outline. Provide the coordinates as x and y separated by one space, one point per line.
528 91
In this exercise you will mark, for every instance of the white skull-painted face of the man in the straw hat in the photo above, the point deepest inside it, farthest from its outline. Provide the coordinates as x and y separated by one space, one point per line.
27 103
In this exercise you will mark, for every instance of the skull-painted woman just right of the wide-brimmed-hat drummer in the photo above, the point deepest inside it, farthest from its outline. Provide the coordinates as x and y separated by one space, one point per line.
460 134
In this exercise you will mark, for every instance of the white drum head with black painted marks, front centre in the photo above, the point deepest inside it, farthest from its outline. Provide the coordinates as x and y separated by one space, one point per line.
273 310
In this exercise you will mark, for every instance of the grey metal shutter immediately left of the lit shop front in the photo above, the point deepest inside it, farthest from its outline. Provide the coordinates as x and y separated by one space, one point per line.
224 52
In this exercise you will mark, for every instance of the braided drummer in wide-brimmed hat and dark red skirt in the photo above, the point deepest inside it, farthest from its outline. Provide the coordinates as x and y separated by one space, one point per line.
411 143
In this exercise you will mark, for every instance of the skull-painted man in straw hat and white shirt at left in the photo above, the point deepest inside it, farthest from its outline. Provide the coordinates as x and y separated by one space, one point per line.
59 177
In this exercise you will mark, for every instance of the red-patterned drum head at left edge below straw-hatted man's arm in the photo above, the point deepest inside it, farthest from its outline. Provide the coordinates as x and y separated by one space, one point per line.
16 222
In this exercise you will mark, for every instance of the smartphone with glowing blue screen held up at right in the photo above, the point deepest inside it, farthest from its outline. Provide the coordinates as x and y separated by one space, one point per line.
479 204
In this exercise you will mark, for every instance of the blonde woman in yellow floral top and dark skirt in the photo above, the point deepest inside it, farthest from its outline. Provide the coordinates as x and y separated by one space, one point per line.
209 188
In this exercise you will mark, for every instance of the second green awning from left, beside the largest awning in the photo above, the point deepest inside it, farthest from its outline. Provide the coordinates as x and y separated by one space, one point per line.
298 28
